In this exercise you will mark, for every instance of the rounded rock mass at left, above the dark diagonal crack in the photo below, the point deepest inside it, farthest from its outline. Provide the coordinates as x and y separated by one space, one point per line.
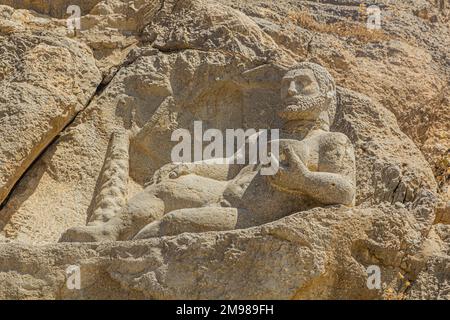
35 108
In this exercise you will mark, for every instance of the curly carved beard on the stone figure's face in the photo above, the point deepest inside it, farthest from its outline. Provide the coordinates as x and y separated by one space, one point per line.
303 108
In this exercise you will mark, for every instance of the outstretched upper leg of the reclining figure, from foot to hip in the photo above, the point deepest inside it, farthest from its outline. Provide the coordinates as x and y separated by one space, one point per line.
185 192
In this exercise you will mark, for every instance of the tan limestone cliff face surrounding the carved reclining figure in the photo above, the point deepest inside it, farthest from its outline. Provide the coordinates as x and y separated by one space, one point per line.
142 68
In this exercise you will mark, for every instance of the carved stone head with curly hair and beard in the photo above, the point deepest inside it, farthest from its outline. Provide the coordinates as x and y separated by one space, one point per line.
308 92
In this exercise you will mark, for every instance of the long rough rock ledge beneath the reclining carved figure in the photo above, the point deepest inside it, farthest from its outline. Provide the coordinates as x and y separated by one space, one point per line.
322 253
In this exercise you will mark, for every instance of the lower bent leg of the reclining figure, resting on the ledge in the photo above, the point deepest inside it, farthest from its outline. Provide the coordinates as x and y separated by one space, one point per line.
192 220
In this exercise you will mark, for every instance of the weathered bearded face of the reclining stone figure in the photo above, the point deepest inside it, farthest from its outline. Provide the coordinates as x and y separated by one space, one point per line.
301 95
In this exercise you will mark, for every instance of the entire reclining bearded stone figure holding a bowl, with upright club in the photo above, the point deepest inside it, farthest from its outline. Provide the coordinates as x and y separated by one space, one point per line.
317 168
